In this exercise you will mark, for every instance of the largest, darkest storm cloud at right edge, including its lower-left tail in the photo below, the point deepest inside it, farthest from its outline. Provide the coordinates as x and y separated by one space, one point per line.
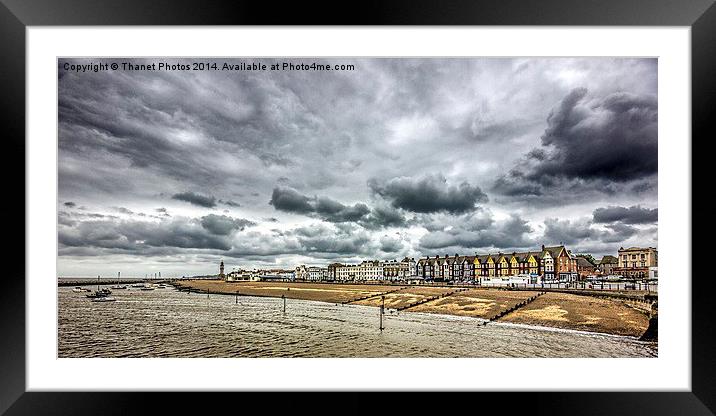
590 141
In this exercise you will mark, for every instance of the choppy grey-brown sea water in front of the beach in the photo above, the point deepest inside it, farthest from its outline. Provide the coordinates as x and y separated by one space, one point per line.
169 323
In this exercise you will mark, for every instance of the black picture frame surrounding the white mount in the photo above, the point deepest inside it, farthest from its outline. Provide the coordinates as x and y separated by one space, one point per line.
16 15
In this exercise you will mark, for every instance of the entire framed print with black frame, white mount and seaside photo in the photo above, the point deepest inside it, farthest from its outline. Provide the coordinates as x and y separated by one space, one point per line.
283 208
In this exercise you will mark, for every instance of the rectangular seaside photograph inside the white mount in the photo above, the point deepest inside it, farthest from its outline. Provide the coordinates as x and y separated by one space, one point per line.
357 207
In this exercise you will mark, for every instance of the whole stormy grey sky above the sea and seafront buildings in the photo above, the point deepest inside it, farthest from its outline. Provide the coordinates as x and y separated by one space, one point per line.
173 171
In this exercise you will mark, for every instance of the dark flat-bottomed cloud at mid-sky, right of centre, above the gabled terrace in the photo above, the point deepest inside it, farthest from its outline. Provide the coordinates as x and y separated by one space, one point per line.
428 194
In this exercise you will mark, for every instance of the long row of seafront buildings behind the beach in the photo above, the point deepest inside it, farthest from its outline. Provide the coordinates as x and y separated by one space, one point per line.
546 265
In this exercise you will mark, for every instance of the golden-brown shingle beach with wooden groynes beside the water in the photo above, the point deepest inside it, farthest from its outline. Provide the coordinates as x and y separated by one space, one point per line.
550 310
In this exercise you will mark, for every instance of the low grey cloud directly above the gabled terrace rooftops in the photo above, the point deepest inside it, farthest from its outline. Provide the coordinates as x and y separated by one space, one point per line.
508 234
